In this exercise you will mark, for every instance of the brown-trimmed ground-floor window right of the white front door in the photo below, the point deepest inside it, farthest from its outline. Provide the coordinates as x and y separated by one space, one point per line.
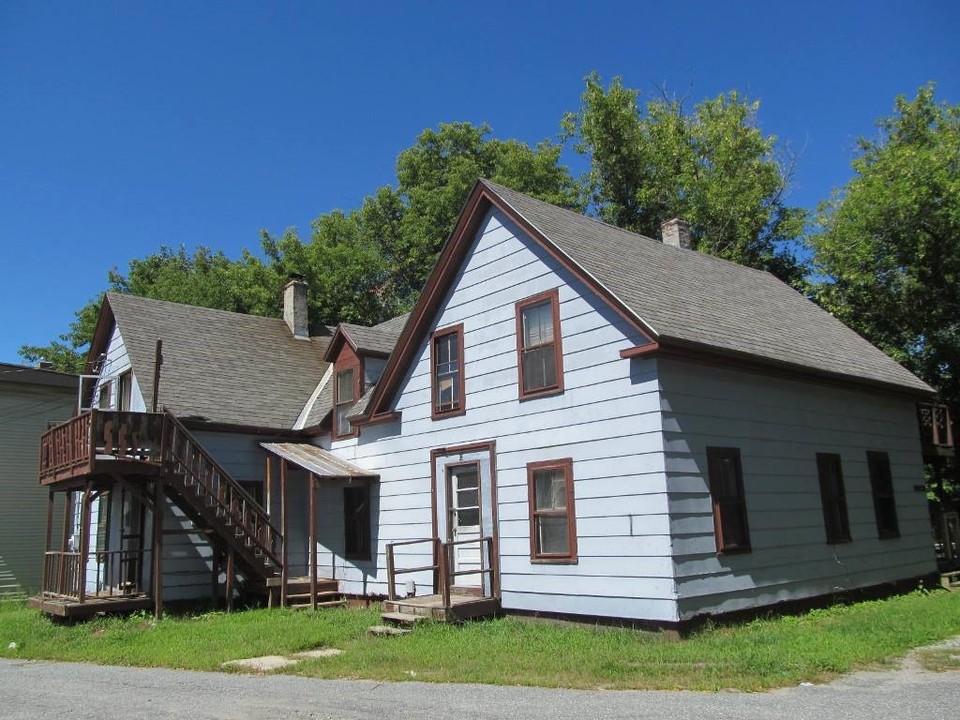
553 524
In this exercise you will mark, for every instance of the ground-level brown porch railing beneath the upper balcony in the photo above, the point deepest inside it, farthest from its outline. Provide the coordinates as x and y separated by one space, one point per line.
107 574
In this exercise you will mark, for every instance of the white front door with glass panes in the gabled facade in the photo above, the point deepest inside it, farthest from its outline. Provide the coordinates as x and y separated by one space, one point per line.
463 482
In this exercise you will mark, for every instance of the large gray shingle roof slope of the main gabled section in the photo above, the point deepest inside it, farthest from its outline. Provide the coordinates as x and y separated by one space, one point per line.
700 300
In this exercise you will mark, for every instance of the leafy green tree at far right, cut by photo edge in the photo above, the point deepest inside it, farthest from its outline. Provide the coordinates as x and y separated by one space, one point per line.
888 244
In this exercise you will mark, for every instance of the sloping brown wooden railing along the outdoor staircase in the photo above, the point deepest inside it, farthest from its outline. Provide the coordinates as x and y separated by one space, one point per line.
199 472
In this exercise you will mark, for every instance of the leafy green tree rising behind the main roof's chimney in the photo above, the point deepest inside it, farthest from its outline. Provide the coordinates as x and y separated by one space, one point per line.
712 166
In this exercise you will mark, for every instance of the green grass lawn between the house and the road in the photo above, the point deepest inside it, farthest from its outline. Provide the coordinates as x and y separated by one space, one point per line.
762 654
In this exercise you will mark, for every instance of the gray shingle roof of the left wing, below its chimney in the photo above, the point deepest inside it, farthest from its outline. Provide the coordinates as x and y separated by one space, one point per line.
223 366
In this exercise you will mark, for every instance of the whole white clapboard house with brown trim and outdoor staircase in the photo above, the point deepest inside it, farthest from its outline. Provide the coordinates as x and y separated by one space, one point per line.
574 420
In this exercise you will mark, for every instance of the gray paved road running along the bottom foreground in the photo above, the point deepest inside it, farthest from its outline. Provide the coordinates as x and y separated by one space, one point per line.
38 690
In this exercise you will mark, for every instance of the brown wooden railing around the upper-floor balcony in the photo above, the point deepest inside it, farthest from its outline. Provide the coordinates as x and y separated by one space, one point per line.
72 448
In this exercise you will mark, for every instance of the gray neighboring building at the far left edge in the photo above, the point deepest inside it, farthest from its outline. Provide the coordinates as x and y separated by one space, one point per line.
30 399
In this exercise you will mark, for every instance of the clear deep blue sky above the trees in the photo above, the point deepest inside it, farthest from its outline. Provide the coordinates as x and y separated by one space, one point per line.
127 125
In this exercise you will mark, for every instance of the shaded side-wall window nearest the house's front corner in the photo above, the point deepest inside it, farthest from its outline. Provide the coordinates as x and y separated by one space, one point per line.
729 500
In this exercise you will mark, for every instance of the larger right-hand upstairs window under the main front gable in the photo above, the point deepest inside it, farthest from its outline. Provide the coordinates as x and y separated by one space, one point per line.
539 351
